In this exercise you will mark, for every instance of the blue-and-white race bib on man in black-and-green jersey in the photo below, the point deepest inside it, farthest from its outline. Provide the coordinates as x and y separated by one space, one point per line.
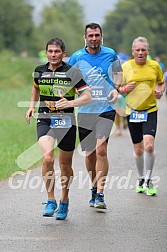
60 121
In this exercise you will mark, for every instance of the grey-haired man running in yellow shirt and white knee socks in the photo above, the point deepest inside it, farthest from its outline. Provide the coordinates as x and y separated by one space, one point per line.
143 83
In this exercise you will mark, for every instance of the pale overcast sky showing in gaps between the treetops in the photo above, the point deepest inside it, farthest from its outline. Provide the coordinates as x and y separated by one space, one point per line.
94 10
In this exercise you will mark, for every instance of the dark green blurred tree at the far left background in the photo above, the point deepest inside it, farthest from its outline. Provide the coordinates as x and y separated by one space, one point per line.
16 25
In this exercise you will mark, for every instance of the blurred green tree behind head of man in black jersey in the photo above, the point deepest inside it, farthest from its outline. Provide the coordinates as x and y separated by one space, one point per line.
64 19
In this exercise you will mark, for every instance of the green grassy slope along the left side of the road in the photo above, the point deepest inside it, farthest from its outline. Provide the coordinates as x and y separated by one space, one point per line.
15 135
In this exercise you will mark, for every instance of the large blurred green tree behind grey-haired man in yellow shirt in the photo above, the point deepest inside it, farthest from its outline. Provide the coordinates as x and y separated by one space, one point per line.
131 19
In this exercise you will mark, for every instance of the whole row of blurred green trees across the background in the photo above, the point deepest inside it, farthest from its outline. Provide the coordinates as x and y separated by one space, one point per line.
65 19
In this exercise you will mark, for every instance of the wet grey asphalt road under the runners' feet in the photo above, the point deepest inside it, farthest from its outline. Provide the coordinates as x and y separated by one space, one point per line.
132 222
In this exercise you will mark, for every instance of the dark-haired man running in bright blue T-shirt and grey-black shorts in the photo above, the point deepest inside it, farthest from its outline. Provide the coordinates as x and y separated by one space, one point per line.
95 120
